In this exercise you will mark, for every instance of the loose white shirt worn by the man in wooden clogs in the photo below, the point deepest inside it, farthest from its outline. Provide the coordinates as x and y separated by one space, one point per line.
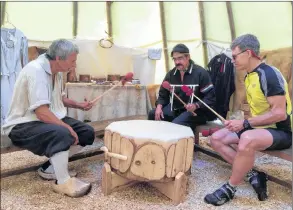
33 88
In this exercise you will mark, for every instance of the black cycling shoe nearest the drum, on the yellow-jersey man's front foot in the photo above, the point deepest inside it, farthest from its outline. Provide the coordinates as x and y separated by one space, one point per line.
221 195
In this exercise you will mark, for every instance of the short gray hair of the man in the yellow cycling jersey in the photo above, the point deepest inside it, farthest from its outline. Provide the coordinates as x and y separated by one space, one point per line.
246 42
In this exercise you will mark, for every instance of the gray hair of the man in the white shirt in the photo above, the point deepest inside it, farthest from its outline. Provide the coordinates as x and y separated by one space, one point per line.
62 48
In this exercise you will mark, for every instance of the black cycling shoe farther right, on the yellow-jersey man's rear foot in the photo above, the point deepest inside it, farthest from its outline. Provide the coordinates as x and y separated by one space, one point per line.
258 181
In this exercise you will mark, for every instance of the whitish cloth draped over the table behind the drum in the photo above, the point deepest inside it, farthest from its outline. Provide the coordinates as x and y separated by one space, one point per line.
121 102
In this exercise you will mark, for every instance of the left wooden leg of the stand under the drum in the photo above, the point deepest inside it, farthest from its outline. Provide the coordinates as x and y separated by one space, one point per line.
112 181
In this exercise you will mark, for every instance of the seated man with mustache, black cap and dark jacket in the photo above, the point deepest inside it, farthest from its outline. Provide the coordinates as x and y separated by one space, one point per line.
185 72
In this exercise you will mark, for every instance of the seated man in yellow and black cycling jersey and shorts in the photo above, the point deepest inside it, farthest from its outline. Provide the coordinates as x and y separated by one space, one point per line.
269 128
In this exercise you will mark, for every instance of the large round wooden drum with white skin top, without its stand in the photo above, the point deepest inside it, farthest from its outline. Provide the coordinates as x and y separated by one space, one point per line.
149 150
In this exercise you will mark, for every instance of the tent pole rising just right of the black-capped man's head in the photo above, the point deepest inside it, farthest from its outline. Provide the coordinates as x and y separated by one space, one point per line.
203 32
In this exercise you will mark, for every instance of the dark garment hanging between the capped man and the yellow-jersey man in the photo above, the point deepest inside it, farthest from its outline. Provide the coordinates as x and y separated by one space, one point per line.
221 70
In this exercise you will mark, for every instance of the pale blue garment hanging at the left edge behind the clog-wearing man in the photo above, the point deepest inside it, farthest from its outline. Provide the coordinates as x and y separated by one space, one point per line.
14 55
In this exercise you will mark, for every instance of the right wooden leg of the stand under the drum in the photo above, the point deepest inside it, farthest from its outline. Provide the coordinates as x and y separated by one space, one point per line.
174 190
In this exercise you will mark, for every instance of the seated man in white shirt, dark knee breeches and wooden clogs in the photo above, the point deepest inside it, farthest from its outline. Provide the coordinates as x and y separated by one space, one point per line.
37 117
